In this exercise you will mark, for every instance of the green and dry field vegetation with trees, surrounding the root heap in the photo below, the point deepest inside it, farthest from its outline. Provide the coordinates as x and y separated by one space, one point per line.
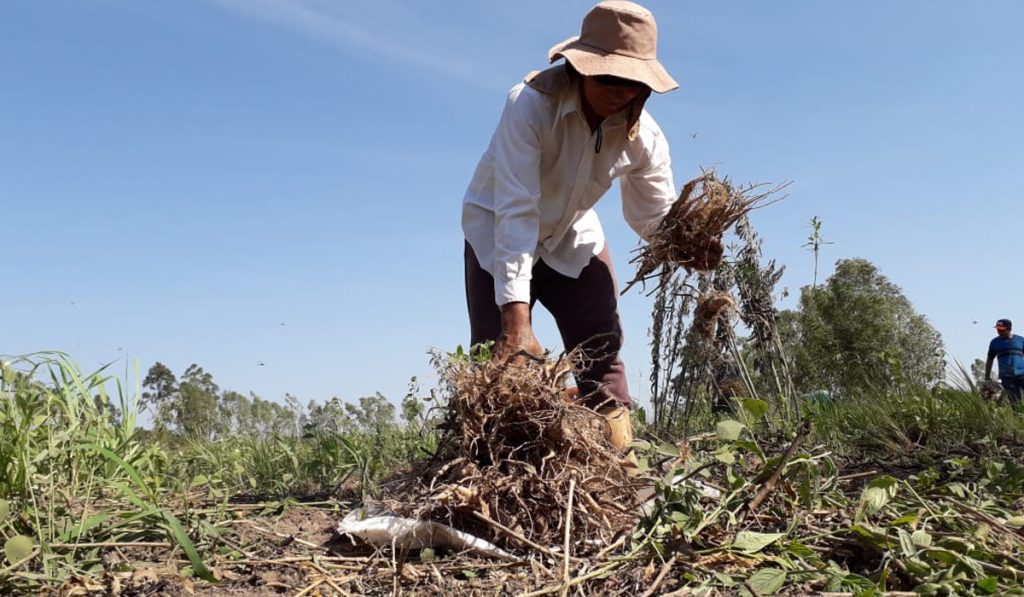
819 451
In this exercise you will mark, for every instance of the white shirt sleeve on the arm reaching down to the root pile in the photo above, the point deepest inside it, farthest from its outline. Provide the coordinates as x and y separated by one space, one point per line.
517 147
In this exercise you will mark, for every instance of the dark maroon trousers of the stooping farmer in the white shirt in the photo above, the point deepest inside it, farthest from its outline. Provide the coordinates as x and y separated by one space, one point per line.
585 309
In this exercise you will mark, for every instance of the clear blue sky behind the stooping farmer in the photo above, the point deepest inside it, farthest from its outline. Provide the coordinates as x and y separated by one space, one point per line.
232 183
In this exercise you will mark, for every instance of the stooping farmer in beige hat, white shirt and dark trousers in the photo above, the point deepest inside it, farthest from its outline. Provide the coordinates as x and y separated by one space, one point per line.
532 234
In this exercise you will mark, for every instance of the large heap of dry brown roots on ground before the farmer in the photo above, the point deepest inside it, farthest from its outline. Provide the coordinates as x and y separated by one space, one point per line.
520 461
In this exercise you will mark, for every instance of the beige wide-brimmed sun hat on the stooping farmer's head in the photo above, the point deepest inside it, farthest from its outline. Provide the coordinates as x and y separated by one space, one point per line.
618 38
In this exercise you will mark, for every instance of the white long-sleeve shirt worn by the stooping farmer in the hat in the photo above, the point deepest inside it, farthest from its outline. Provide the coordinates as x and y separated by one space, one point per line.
533 194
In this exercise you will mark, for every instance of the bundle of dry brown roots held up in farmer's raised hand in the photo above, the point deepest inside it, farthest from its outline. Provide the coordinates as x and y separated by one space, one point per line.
691 235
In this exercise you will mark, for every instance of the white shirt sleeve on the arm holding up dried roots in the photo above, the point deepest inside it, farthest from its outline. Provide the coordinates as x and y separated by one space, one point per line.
648 190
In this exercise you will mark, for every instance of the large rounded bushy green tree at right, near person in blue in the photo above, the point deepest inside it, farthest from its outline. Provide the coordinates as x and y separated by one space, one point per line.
859 331
